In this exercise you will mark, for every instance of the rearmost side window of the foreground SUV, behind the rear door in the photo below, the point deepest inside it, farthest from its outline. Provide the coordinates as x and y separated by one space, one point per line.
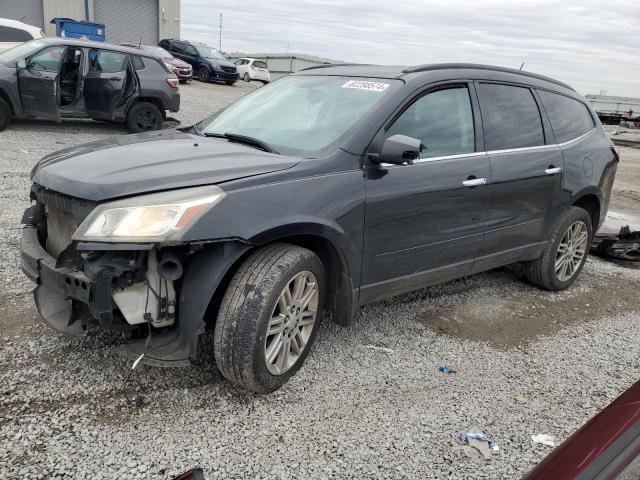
569 118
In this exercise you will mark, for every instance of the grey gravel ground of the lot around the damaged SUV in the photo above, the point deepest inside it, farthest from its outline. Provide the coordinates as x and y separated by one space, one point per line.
352 411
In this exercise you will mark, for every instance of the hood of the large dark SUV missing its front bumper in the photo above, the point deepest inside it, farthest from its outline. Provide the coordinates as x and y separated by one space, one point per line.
151 161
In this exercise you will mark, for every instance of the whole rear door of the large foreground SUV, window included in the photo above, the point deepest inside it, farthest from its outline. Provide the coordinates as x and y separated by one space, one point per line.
526 168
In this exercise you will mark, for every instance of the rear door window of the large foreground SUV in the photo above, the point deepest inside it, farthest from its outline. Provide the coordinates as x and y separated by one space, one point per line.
510 116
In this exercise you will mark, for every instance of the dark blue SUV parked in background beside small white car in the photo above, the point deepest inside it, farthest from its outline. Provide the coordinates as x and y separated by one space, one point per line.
207 62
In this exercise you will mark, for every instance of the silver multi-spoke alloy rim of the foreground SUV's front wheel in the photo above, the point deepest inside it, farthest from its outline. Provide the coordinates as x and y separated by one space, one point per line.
291 323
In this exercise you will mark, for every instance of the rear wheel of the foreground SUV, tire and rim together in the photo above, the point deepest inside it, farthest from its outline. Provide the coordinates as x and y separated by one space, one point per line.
544 271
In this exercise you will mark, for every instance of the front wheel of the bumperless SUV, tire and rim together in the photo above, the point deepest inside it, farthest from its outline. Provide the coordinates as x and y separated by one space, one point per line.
252 307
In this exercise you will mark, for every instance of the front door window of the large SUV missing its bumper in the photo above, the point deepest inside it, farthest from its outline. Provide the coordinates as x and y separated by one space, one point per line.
443 120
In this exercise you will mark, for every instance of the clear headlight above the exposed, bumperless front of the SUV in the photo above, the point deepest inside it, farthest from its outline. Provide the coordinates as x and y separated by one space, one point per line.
156 217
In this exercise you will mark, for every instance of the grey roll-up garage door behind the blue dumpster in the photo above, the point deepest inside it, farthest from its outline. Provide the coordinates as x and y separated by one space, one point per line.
128 21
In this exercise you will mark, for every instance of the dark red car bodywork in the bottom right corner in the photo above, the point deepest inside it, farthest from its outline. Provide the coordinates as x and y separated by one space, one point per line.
607 447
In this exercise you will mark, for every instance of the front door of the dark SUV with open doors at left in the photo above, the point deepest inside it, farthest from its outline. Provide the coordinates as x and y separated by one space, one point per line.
38 83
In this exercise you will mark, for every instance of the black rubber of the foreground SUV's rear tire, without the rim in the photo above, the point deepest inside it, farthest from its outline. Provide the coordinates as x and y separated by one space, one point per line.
542 271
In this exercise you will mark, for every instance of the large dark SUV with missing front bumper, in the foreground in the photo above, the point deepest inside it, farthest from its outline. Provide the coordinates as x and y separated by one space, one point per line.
325 190
